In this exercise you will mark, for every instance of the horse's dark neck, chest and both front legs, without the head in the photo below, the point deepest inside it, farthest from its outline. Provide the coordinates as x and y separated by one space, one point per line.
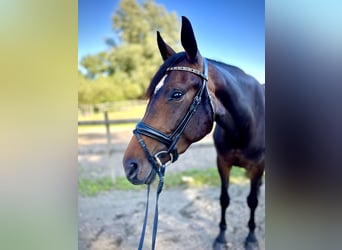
239 138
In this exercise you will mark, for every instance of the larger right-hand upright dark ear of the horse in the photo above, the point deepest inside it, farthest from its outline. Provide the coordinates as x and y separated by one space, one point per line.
188 39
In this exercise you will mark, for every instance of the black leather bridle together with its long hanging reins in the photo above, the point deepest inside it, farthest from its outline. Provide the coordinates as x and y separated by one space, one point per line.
170 141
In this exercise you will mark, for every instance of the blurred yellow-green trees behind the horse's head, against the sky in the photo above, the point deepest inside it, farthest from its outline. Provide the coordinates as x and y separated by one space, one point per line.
126 68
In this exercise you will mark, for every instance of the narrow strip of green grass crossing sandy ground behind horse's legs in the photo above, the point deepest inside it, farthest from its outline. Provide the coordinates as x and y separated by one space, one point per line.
189 178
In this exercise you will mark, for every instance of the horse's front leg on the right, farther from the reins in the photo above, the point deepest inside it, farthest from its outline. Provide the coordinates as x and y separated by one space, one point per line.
252 201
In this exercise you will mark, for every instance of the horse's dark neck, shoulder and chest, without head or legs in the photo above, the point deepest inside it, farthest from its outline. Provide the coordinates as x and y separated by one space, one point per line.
240 105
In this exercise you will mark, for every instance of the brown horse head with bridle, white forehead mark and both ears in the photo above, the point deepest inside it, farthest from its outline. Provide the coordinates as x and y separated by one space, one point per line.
180 110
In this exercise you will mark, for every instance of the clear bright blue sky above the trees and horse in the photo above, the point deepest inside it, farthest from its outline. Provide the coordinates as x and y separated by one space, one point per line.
231 31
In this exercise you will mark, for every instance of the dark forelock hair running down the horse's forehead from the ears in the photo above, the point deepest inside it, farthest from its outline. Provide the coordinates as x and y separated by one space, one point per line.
161 72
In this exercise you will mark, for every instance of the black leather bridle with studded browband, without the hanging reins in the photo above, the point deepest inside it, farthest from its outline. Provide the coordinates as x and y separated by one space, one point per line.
170 141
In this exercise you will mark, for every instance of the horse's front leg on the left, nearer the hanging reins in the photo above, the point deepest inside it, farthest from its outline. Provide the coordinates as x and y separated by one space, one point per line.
224 171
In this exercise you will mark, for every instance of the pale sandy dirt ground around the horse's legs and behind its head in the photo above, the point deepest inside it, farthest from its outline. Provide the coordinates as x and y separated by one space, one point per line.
188 218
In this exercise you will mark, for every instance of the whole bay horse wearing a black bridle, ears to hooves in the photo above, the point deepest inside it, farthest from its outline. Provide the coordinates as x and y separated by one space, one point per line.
186 96
